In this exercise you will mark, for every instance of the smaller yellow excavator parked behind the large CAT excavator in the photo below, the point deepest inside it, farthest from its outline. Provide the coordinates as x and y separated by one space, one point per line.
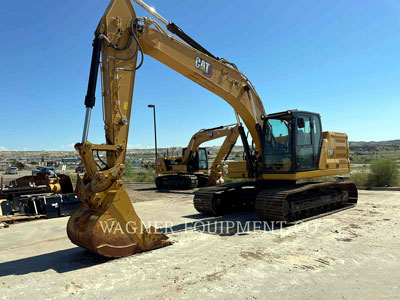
191 169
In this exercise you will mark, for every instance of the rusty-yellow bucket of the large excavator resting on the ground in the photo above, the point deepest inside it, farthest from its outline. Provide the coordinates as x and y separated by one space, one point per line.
114 229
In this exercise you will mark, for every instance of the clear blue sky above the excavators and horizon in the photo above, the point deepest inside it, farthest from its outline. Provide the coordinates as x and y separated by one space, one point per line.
338 58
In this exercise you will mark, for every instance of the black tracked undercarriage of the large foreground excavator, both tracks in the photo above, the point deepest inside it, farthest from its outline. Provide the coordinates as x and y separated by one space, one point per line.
277 200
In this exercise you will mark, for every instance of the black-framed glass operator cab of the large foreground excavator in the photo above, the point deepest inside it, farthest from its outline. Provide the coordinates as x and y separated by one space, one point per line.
292 142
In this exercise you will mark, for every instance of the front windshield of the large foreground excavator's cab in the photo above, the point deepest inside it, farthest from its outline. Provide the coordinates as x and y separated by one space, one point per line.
277 145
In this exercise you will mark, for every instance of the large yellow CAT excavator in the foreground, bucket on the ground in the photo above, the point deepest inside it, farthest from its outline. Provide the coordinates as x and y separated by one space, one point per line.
288 145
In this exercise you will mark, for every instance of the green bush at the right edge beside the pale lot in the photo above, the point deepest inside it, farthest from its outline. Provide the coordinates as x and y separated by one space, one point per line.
383 172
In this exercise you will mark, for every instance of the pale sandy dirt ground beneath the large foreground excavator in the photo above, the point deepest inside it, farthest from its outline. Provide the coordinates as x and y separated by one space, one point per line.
354 254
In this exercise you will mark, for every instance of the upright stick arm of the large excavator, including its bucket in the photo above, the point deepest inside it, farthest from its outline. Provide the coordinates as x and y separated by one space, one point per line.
107 223
